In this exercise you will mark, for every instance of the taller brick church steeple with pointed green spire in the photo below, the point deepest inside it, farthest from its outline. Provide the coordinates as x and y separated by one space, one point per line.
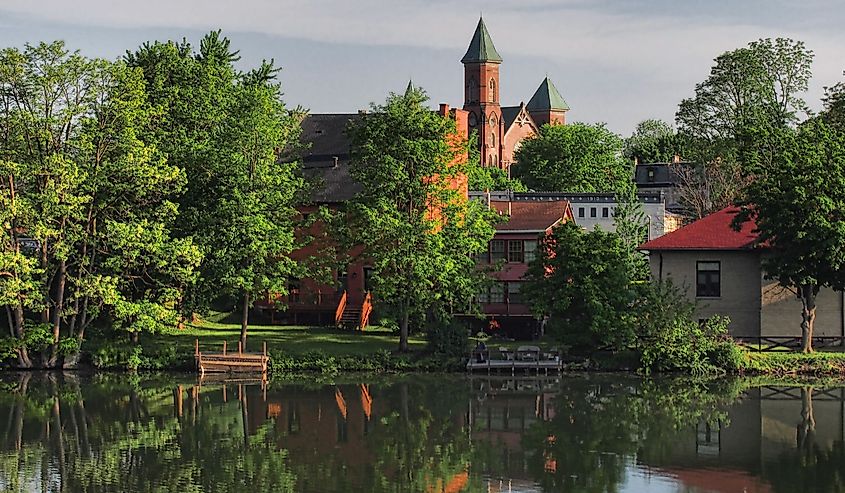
481 96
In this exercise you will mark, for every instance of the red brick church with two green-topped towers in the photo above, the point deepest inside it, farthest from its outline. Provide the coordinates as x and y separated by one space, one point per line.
502 128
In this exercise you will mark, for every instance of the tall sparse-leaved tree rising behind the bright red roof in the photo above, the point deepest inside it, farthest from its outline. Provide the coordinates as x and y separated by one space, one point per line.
748 89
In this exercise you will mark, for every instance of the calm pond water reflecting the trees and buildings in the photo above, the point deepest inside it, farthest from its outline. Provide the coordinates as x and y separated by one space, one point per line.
427 434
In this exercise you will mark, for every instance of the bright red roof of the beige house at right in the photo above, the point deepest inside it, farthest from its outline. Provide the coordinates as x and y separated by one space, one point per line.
713 232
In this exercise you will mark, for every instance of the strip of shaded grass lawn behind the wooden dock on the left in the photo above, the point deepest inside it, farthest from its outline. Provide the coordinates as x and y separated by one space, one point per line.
285 338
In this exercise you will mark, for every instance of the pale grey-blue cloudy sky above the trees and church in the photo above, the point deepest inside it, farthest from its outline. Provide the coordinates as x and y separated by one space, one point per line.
614 61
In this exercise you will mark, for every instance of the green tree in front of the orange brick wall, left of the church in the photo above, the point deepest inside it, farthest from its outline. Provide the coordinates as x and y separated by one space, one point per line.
416 227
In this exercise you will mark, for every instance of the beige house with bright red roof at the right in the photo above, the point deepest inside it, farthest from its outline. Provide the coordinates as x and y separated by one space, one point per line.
721 270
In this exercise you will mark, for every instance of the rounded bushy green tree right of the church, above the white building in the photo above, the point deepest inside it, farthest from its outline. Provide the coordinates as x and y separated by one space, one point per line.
573 158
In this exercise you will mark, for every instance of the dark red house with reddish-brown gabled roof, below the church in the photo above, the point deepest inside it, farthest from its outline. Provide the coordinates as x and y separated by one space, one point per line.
514 246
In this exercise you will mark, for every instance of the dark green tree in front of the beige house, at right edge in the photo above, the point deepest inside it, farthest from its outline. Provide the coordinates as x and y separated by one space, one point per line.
796 202
